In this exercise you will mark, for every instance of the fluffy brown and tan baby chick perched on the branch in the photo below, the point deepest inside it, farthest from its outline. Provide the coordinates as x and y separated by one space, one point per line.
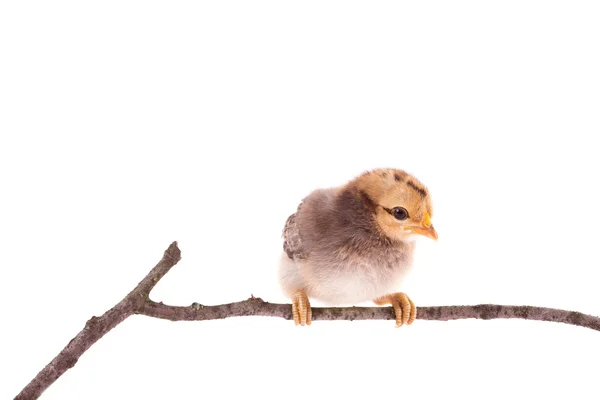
355 243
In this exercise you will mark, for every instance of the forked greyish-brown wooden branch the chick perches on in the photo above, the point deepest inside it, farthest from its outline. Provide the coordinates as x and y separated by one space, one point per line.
138 302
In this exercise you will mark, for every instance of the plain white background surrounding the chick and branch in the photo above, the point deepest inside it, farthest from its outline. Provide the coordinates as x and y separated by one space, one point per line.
127 125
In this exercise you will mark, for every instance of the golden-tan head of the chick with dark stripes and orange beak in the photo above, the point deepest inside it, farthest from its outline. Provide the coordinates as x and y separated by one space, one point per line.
401 204
